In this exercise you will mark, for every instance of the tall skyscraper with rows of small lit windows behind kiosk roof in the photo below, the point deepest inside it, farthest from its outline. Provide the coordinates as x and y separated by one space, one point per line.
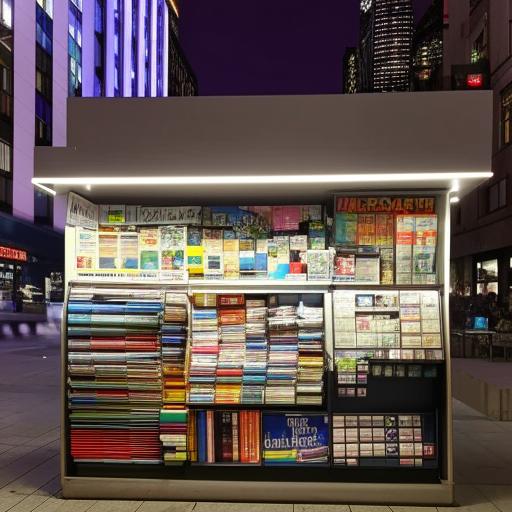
386 32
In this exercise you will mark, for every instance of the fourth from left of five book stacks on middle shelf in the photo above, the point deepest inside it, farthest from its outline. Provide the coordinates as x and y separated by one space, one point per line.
283 355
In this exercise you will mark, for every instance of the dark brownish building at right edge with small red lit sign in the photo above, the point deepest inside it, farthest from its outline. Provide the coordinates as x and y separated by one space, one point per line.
481 234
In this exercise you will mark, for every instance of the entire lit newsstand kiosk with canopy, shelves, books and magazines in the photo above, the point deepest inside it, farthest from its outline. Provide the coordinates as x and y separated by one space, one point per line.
295 348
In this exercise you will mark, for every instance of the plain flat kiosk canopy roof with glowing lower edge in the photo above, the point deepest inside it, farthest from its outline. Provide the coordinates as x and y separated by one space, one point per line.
263 149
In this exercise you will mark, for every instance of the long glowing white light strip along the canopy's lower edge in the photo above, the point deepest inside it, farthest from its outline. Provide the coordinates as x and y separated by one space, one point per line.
264 180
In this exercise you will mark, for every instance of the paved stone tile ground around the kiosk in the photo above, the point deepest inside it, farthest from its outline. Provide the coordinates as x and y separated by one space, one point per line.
29 448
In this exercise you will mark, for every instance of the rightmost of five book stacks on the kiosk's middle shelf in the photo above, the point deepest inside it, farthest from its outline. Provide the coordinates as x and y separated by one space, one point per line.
311 356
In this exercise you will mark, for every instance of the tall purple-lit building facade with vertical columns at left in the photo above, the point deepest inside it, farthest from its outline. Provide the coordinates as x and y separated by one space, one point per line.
50 50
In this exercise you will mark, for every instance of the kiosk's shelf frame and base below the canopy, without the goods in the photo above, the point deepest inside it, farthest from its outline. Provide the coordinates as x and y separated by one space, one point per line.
323 482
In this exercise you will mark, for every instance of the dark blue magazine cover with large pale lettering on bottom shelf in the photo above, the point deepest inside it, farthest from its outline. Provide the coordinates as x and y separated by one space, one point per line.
295 438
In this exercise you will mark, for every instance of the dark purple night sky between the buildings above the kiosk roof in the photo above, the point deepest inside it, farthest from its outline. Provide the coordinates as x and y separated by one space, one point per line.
270 46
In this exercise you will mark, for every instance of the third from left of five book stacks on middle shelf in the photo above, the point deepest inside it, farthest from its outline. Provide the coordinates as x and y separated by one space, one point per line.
255 366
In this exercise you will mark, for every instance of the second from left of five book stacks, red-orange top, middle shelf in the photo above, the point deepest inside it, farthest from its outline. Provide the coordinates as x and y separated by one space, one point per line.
231 355
